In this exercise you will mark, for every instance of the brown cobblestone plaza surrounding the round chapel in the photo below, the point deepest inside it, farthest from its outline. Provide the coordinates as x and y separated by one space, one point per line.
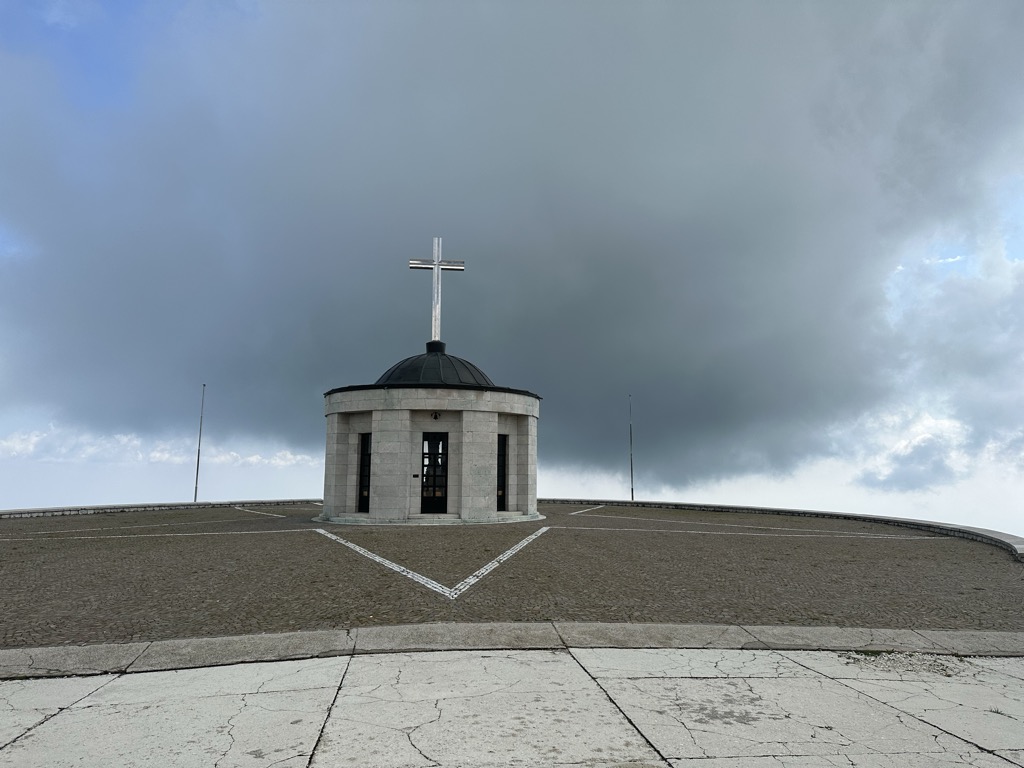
140 577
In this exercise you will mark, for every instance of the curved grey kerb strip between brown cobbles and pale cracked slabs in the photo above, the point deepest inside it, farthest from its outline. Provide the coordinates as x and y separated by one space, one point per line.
161 656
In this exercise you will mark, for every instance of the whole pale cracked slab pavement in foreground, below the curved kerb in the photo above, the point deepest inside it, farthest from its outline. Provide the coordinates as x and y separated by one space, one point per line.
593 707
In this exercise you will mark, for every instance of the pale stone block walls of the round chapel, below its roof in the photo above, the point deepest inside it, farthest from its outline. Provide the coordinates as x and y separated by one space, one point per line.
397 419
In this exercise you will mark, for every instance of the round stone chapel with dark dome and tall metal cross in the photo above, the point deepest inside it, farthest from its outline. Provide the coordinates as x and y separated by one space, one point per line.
433 442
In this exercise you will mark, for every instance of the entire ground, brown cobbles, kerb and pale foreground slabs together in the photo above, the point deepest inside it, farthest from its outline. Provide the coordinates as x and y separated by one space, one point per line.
612 637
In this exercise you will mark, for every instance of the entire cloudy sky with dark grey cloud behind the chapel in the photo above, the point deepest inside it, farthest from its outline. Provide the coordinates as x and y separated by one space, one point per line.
786 239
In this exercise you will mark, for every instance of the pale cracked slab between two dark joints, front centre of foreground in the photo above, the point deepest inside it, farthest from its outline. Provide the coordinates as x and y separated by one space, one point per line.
463 708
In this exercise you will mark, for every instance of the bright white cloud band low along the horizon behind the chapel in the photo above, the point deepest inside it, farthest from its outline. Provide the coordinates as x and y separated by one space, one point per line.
61 467
